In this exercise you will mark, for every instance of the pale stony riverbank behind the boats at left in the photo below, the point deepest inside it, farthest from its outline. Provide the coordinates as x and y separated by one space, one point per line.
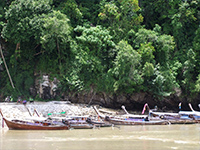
44 109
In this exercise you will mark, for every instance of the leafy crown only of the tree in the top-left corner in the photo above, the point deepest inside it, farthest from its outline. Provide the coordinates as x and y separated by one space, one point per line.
21 16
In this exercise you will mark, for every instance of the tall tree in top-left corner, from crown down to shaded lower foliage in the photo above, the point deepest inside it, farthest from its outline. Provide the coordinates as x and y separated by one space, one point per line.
22 28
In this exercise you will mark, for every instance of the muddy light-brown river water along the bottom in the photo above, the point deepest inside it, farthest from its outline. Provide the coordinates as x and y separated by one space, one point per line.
167 137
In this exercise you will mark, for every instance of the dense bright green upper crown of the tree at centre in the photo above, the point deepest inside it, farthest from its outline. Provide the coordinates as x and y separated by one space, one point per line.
97 43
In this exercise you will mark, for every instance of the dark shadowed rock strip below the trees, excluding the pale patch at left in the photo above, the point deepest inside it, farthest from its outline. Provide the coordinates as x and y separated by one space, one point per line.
134 101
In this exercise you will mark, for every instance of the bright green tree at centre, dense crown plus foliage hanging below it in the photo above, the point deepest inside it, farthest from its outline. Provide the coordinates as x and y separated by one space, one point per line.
93 55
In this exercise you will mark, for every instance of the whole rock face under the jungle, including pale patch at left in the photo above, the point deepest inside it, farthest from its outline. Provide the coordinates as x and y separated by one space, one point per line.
48 89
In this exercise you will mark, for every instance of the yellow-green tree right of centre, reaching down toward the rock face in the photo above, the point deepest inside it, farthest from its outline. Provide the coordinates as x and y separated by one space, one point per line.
156 49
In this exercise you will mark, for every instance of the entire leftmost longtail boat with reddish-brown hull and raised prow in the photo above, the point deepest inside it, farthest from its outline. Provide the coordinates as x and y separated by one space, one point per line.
17 124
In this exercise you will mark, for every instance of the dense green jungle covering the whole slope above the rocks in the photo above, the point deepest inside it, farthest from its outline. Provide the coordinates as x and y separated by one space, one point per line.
110 46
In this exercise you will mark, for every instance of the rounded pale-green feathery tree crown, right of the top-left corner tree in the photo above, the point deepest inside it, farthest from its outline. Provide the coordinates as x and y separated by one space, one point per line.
55 32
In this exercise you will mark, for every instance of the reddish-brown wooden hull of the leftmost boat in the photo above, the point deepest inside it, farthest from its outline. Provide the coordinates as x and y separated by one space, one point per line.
32 126
